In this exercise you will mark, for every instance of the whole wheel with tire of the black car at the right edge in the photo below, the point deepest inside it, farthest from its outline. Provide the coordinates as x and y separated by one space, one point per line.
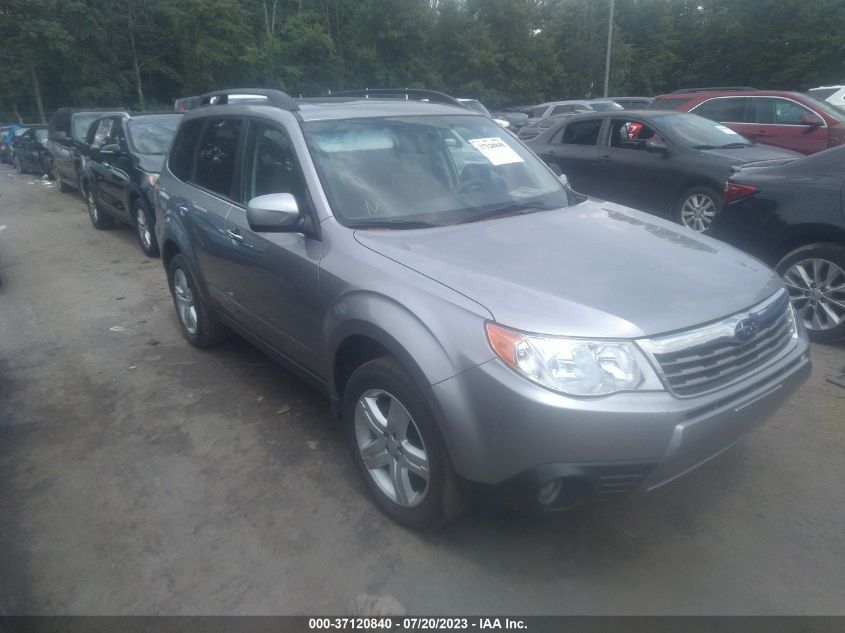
815 279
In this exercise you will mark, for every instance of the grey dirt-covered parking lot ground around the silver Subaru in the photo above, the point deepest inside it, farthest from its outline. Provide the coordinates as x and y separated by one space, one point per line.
140 475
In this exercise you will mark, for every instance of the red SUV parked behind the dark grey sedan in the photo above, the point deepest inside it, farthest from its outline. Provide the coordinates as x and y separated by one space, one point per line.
791 120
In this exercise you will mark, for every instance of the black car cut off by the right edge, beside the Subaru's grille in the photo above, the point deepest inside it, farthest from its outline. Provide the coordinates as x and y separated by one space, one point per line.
791 214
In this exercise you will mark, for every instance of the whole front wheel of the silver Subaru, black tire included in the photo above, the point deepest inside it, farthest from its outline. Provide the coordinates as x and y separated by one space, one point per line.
397 447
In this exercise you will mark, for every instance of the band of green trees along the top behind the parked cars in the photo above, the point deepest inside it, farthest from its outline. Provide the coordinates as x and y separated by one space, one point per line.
505 52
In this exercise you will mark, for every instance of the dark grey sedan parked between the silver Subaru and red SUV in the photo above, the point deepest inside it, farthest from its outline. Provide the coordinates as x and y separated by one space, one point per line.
672 164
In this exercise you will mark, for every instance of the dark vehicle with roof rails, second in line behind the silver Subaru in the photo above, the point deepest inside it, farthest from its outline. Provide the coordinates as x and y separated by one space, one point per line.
66 136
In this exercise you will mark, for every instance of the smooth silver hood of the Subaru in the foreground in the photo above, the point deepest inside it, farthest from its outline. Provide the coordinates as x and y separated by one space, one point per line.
595 269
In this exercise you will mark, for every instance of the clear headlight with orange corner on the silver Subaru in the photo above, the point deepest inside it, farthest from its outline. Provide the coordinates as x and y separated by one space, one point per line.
577 367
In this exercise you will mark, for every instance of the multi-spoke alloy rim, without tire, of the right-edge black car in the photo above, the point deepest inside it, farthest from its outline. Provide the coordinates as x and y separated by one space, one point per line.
817 290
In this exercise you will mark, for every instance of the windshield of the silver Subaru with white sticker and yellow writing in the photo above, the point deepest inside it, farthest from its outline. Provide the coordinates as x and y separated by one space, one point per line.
409 172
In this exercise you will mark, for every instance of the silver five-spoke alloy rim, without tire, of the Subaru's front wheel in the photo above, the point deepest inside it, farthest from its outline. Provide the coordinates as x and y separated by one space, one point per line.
391 447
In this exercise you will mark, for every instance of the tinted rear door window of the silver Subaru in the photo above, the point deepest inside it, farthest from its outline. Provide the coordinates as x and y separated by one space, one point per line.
215 169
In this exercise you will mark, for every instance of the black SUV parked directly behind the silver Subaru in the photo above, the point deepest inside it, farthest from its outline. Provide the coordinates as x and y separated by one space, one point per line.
124 155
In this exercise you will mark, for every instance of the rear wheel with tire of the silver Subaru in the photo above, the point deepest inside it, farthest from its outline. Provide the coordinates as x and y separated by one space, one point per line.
196 321
